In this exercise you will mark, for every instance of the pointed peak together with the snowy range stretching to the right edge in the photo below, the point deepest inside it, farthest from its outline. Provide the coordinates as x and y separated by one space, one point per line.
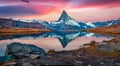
65 23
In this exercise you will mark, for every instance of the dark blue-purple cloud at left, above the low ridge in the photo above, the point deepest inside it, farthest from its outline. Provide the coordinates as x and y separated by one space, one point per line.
16 11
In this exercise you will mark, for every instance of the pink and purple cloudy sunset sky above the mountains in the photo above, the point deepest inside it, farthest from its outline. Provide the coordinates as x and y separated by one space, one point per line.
49 10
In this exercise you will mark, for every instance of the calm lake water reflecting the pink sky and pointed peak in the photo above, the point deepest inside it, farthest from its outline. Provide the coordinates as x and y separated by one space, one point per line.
58 41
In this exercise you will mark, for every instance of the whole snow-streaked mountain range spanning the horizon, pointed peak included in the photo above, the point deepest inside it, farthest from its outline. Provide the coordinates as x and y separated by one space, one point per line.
64 23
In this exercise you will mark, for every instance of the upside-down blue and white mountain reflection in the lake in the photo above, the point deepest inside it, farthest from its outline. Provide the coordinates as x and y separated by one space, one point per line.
66 37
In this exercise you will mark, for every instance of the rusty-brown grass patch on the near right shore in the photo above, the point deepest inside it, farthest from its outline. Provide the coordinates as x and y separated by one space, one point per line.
93 51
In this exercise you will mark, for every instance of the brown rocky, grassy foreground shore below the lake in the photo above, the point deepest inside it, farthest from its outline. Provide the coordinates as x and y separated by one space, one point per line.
106 53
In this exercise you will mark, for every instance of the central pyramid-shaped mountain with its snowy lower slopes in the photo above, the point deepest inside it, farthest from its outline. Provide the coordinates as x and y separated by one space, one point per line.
65 22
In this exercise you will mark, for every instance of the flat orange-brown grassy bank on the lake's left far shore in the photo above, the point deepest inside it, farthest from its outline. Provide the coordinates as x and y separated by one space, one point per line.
14 31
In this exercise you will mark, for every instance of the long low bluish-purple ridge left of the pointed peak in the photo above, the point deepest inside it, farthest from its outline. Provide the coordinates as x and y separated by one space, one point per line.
20 24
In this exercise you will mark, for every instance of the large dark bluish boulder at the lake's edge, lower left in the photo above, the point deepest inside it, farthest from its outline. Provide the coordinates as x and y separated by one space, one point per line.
19 50
